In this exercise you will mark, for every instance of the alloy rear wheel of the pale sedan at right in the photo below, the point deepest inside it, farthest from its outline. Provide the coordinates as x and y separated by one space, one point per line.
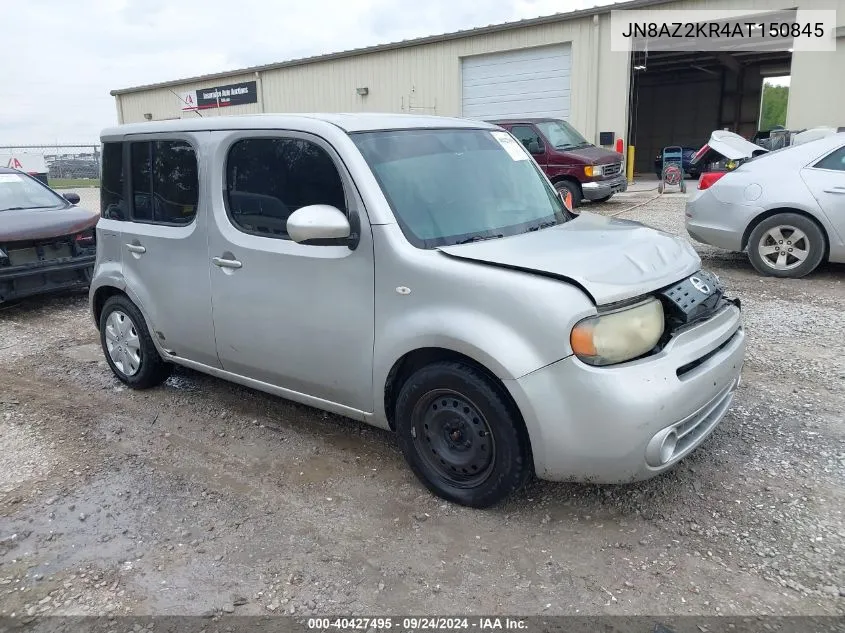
792 231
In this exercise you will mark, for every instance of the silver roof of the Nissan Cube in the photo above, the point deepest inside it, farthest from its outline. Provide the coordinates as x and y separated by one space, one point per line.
351 122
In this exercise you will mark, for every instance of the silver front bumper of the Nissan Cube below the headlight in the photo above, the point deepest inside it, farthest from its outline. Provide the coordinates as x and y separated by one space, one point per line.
608 424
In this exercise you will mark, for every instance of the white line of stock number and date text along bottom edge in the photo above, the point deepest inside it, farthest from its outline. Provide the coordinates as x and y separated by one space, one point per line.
416 623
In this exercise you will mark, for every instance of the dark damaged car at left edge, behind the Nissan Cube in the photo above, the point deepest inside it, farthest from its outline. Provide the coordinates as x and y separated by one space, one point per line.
47 243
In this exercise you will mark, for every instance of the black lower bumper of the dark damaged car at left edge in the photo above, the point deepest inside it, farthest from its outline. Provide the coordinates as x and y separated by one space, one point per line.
17 282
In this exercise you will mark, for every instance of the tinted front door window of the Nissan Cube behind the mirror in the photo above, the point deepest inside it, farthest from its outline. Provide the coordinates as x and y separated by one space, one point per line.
267 179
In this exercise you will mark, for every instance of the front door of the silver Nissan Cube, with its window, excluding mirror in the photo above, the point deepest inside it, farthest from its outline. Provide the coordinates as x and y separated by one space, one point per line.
296 316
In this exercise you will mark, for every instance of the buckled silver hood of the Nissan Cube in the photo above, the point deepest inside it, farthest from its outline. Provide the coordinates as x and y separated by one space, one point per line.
610 259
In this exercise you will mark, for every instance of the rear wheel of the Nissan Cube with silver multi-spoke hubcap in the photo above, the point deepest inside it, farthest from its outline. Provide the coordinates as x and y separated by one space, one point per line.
128 347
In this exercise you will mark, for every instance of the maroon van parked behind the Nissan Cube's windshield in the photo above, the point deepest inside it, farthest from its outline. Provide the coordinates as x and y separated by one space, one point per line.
570 161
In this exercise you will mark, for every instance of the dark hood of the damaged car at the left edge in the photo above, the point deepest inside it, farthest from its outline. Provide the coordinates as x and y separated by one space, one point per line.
42 224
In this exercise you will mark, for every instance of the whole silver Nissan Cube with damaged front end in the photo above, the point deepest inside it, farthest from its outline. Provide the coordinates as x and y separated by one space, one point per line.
420 274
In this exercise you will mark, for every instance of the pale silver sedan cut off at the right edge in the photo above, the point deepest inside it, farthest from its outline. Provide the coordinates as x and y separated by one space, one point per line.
786 208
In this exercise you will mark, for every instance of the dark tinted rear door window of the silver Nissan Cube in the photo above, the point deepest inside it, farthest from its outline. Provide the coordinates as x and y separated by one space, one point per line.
165 182
